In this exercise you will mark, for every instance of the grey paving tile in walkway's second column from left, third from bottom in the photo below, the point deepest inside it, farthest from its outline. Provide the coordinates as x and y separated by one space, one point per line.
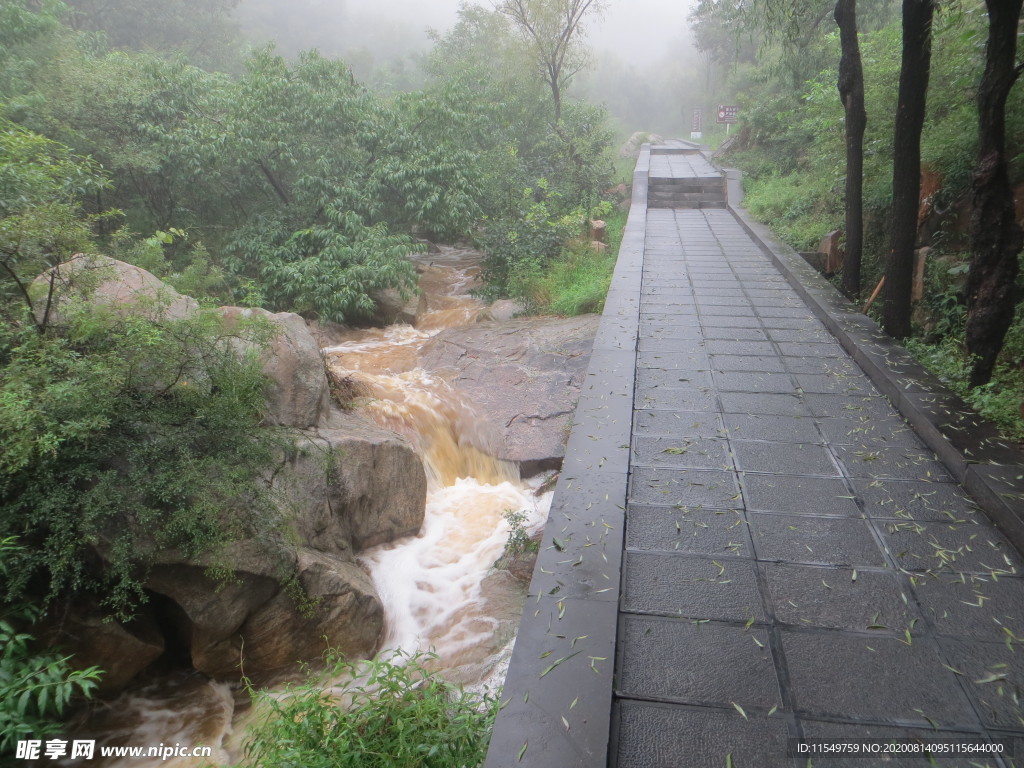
839 599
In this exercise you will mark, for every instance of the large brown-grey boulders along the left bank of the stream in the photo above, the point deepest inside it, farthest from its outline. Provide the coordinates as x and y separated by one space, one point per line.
348 486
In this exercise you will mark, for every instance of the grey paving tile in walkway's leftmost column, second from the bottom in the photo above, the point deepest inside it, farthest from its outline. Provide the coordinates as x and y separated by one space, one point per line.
711 664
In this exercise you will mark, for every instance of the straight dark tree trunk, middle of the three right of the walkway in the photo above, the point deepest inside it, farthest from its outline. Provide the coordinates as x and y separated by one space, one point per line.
915 69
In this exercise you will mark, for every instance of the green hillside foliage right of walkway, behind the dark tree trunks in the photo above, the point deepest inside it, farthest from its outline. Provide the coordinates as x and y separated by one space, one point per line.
791 148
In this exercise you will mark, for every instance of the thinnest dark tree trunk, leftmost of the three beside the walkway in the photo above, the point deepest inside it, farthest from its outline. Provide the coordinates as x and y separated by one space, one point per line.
851 92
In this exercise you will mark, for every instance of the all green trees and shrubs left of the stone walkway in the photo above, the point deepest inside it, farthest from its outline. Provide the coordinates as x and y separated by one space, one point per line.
141 132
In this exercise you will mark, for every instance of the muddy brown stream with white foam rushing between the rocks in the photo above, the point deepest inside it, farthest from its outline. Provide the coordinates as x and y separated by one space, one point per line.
439 589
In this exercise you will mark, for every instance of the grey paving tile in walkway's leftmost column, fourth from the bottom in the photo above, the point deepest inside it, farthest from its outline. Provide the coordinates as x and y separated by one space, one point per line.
707 532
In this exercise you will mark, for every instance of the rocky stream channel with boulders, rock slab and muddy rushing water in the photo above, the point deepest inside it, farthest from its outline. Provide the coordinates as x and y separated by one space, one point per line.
439 425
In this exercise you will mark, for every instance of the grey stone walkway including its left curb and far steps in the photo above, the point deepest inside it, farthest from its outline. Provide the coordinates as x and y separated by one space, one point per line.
795 563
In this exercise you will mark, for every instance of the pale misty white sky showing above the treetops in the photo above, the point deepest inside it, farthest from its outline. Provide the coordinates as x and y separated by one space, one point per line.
645 68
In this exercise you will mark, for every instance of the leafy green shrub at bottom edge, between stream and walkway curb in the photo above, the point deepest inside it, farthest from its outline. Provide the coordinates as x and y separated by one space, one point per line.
385 714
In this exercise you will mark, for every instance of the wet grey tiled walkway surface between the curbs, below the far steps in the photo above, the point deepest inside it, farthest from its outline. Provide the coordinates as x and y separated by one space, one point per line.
797 565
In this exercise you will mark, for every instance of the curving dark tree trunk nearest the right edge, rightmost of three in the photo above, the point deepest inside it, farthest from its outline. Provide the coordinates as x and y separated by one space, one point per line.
996 237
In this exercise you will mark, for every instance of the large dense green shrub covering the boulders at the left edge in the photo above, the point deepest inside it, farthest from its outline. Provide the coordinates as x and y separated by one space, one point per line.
130 436
